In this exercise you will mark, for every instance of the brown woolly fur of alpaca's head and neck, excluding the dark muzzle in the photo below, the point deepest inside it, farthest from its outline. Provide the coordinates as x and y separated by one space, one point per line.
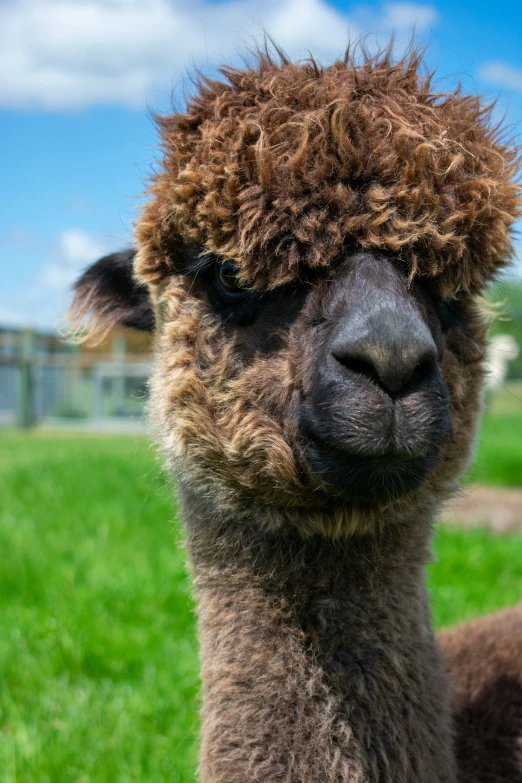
319 662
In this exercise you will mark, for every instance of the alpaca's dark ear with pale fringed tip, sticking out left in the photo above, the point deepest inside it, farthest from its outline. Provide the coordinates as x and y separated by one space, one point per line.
107 295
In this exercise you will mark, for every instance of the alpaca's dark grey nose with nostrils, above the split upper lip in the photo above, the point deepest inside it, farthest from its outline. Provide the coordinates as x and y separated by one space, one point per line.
394 348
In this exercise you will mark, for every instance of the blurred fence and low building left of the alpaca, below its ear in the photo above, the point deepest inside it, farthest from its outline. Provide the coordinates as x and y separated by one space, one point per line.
65 386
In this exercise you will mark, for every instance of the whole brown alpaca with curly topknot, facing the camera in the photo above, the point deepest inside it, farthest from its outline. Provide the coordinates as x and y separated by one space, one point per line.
313 251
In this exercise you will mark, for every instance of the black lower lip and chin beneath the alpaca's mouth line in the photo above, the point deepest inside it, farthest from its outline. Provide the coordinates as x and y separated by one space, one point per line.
358 478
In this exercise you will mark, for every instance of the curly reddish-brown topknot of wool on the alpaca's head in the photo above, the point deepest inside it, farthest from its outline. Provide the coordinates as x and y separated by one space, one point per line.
284 164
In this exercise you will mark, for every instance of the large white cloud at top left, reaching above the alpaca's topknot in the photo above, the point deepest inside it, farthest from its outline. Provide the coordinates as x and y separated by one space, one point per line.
61 54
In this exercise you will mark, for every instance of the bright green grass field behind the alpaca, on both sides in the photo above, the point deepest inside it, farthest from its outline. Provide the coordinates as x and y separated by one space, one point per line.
98 657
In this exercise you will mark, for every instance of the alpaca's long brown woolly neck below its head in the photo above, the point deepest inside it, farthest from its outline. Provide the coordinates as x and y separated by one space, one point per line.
318 660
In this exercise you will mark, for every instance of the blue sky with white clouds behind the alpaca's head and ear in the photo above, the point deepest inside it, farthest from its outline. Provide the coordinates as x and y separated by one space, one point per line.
79 78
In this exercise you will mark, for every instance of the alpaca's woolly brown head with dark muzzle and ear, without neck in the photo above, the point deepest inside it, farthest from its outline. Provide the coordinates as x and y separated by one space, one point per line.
313 248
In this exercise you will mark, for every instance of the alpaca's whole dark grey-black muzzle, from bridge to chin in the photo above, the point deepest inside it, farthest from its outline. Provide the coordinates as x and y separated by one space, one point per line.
375 415
